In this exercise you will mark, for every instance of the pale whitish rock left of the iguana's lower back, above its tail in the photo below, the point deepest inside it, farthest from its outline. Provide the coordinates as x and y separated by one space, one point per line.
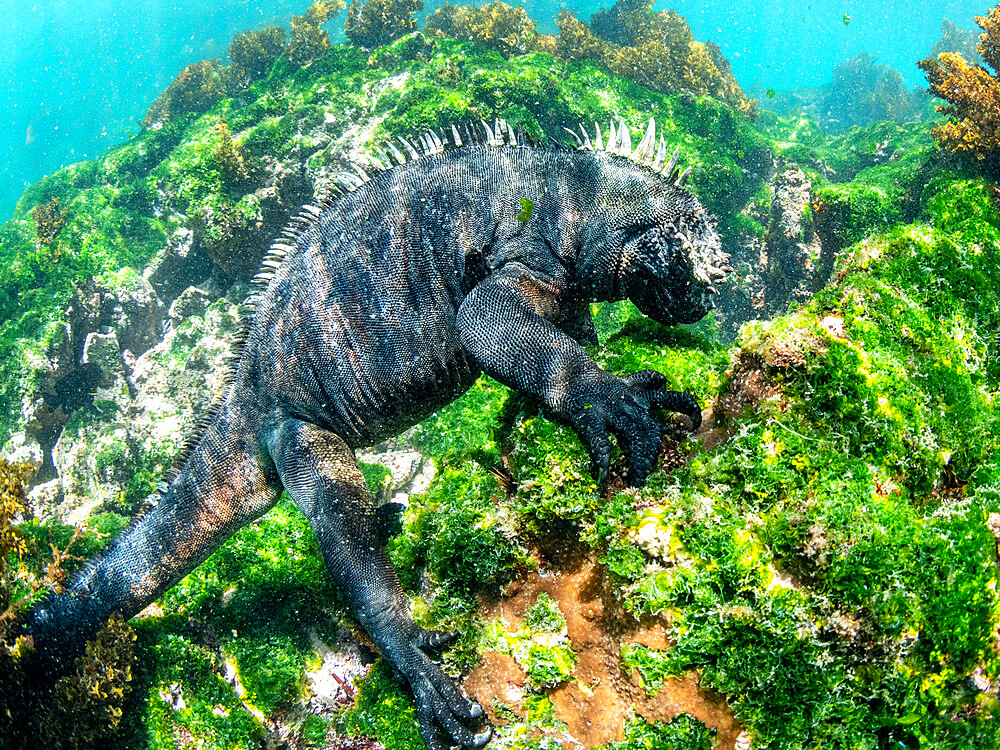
112 451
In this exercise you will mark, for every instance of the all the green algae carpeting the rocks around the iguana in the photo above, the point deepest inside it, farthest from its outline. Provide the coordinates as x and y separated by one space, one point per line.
828 568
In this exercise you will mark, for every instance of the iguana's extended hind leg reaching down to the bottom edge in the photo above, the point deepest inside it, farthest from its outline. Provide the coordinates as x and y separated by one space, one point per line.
321 475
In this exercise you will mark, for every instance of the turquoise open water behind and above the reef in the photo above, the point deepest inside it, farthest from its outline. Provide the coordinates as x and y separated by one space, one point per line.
76 75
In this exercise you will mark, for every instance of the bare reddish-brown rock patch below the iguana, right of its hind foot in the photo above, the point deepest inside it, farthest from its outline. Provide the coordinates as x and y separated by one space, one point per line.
592 707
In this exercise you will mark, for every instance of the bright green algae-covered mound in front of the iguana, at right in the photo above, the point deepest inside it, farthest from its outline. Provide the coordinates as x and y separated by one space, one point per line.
813 544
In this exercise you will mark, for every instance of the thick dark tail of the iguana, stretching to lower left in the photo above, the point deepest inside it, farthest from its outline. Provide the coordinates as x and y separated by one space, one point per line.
222 485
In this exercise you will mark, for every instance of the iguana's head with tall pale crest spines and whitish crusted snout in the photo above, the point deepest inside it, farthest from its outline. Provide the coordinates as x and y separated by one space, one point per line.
660 242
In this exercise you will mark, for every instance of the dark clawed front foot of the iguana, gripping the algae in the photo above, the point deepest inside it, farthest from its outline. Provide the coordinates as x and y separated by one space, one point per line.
624 407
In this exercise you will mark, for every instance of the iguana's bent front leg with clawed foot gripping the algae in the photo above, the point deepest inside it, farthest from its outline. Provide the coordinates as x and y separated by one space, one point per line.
503 328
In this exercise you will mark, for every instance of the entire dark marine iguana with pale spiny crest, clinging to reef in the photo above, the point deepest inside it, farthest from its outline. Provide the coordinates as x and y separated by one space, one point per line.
386 303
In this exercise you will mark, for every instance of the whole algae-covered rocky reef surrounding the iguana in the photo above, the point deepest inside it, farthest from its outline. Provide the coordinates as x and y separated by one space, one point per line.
817 566
